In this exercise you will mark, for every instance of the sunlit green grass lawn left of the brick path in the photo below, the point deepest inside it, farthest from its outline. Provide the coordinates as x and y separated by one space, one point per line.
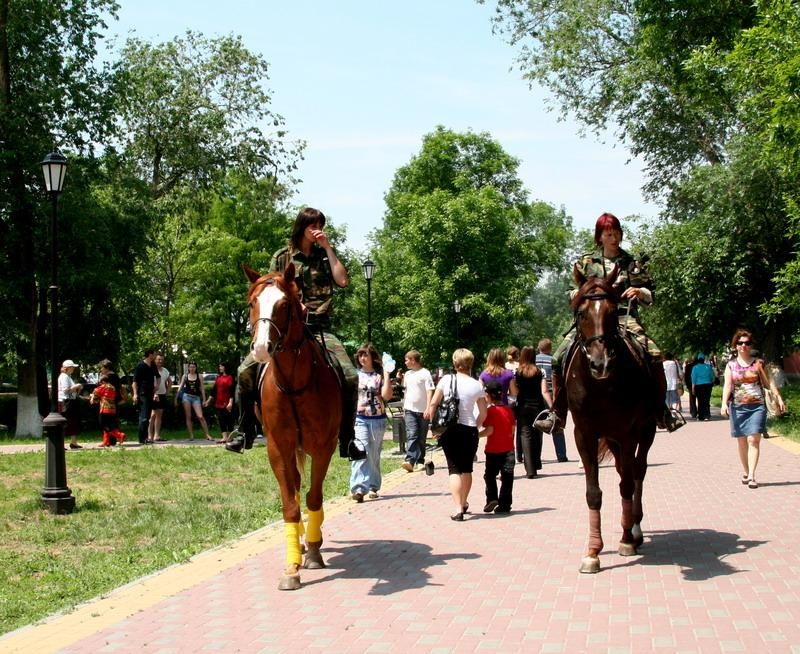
138 510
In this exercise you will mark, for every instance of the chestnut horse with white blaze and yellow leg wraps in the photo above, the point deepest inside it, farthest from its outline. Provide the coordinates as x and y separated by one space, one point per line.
300 410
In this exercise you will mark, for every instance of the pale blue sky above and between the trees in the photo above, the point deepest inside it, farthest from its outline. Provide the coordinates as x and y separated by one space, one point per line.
363 81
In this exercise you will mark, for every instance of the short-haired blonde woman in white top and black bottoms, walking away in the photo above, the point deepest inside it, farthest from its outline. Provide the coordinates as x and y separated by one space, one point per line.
460 442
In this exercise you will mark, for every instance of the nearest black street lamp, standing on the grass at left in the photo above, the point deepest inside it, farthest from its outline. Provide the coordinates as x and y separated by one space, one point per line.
56 495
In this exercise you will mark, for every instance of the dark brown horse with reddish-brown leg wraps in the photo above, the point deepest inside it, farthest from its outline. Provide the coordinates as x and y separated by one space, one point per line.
611 398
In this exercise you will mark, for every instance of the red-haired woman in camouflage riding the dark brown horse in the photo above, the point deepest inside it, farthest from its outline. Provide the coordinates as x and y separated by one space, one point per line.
635 287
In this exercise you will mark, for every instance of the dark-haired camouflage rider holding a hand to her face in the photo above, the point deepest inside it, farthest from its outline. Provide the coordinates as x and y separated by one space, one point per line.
318 271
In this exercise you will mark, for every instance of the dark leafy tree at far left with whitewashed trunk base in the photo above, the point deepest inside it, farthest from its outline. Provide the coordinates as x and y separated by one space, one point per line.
50 93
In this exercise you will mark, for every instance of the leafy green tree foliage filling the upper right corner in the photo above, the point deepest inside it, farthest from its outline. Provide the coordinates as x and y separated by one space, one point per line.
705 93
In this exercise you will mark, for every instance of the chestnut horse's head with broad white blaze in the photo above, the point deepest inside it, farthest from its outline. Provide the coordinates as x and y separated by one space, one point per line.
276 315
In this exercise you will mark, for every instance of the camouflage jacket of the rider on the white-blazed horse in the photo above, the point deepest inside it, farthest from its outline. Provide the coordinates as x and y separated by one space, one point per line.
314 279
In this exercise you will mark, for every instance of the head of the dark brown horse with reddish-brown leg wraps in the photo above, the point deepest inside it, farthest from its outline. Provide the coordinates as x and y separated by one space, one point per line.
596 322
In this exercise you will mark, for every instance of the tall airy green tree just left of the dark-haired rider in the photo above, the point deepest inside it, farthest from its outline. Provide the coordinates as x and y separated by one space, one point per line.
199 130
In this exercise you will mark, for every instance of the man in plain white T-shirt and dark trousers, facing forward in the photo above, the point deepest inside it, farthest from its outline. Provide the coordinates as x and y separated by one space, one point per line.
418 385
